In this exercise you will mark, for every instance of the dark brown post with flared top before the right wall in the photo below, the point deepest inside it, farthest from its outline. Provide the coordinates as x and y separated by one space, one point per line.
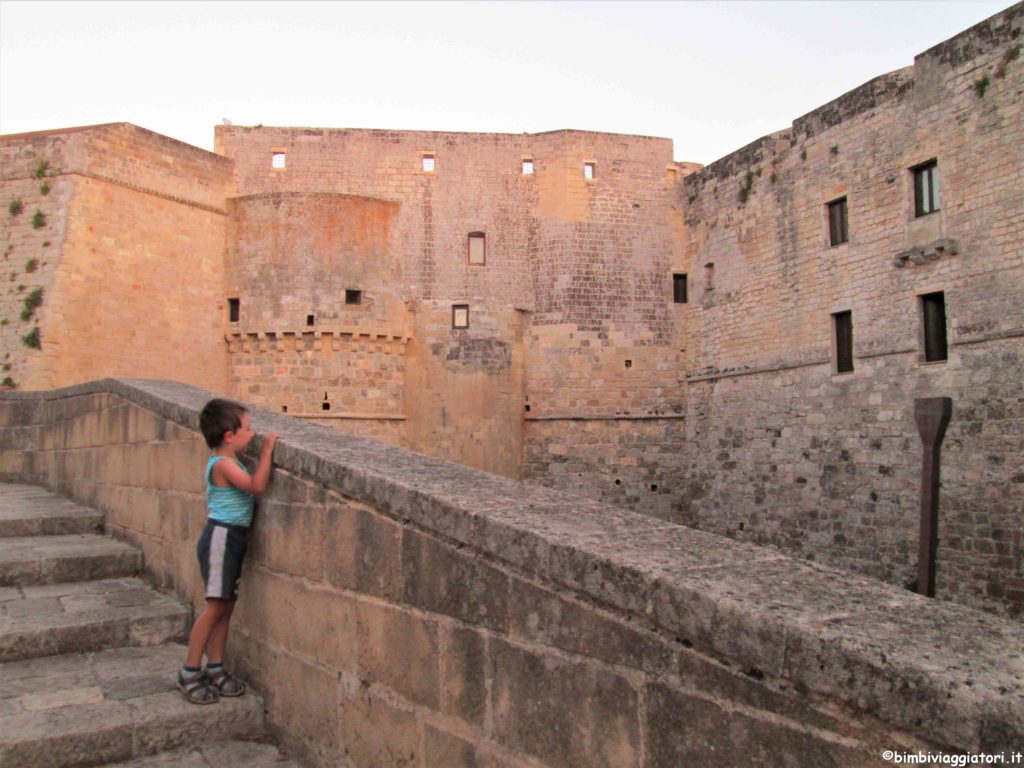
932 415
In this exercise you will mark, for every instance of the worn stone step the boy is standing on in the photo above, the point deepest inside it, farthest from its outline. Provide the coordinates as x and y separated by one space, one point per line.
96 709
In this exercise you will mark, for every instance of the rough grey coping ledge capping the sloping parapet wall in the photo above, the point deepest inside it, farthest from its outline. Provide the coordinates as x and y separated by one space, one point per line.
946 672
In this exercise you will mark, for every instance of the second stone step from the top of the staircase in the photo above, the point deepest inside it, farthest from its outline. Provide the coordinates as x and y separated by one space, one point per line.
52 560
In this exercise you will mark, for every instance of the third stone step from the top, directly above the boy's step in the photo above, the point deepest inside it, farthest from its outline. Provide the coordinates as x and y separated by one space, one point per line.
55 619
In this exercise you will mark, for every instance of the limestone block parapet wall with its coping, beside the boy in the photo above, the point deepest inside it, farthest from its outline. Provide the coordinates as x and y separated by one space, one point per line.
401 611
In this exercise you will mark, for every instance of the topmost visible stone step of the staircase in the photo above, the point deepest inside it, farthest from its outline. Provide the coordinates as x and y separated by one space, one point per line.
26 510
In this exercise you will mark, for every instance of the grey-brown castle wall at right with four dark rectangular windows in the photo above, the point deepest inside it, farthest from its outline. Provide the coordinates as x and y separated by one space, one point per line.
784 450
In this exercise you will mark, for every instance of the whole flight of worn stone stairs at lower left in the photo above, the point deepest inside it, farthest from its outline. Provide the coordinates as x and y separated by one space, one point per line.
90 654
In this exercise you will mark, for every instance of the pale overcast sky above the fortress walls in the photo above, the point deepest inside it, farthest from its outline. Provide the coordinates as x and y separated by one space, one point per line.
712 76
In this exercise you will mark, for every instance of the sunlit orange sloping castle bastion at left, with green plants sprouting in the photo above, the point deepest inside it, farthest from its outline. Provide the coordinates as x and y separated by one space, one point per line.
131 215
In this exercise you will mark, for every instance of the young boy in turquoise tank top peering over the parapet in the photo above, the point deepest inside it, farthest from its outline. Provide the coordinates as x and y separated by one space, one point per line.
231 492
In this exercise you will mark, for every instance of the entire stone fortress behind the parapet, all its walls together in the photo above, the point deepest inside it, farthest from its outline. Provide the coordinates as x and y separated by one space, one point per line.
735 348
